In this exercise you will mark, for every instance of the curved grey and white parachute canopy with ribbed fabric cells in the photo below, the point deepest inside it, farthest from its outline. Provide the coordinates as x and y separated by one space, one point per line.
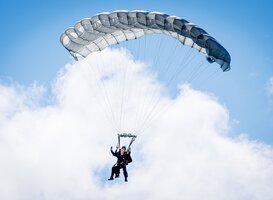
106 29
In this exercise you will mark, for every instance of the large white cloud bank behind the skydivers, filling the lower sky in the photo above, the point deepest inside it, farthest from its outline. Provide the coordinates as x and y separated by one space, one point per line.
61 151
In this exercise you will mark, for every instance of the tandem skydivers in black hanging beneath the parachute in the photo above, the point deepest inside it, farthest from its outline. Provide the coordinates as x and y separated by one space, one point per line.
123 158
